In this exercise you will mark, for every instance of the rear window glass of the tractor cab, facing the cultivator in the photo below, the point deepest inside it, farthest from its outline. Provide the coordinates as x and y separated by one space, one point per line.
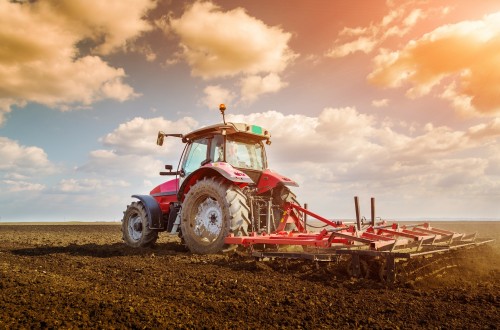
248 154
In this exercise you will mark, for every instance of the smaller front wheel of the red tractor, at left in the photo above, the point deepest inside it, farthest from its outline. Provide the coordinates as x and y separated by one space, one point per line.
135 227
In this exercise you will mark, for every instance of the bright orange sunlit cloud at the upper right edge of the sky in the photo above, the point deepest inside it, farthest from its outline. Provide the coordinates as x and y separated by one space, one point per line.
458 61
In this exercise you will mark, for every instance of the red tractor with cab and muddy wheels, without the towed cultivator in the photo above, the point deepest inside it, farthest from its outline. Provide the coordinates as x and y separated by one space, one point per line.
222 187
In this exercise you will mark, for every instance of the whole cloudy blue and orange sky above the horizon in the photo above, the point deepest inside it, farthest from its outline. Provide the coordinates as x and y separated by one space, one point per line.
396 100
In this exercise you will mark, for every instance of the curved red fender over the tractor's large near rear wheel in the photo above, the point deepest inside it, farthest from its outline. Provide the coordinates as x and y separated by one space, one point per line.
212 170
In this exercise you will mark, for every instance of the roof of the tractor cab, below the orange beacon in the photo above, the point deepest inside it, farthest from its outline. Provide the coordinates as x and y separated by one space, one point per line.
252 131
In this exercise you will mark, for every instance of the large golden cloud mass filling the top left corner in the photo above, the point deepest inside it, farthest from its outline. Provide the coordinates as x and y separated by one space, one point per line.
43 56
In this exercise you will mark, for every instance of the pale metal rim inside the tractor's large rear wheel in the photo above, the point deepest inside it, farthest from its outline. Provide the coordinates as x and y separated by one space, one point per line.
208 220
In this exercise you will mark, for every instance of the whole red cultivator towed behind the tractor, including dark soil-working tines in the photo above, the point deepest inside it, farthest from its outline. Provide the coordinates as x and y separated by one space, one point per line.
372 249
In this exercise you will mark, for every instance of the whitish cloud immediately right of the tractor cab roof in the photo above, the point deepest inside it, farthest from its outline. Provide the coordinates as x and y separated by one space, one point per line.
334 134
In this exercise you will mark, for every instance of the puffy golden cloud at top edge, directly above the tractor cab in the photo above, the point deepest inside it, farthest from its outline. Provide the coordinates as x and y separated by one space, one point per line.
236 43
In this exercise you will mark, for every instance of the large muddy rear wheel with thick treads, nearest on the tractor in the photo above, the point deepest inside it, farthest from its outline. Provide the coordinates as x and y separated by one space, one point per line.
212 209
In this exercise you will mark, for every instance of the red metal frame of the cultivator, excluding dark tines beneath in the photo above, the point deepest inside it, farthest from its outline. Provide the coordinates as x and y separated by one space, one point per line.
381 239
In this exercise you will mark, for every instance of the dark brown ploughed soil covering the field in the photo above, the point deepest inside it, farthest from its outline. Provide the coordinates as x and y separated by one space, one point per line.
83 276
